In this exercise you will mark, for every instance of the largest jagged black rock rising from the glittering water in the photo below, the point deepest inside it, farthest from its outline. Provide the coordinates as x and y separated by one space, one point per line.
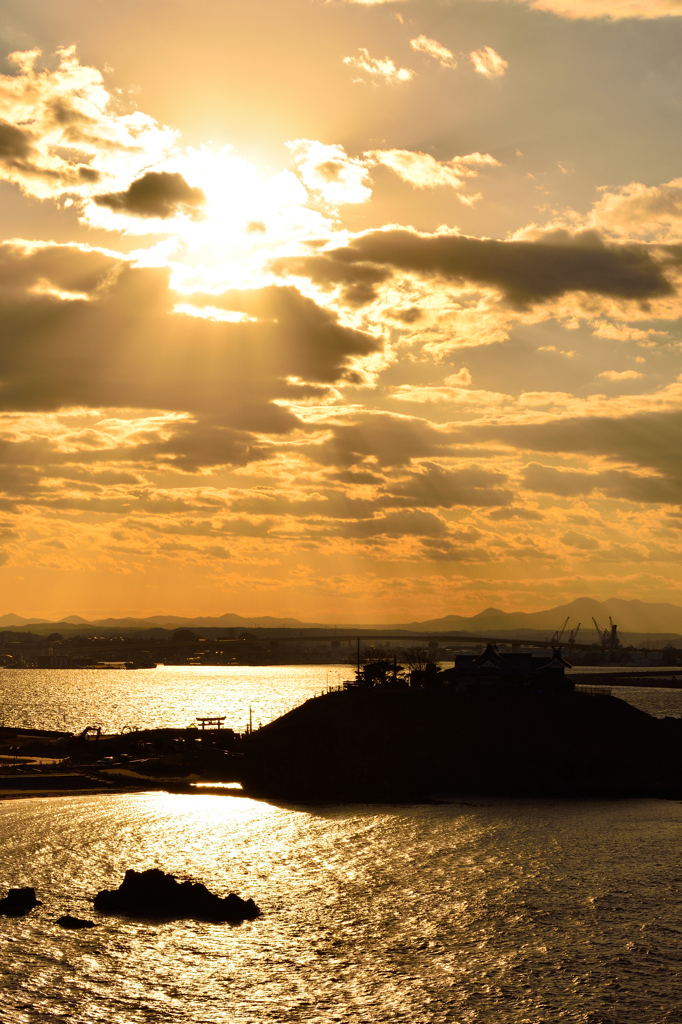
155 894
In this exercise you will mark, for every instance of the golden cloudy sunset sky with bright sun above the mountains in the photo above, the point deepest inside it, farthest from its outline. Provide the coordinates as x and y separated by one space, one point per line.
343 311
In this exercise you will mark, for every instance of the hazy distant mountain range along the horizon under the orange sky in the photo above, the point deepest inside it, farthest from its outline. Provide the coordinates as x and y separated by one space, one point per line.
631 617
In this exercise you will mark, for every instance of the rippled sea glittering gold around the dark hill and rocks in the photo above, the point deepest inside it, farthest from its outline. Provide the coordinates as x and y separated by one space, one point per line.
465 910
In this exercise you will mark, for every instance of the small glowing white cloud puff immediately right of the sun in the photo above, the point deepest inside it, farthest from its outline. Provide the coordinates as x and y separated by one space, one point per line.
330 172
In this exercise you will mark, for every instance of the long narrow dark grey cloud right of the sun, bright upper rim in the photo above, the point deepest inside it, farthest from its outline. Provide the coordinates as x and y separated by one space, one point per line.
526 272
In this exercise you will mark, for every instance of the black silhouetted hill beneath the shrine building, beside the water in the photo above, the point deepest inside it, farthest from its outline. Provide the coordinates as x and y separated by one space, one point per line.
371 745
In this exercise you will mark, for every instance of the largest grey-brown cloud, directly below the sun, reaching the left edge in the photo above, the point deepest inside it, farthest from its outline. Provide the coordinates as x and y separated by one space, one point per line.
222 379
